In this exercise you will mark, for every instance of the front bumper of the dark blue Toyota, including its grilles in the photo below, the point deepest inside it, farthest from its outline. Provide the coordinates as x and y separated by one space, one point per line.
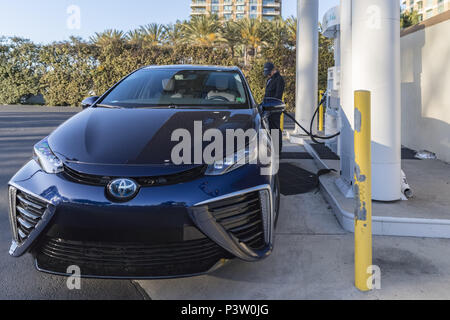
169 231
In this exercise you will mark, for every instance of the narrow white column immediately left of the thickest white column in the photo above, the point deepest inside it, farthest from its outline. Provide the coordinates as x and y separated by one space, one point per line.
346 138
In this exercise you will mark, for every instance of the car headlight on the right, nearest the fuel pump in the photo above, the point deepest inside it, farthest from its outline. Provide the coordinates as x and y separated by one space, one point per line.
251 154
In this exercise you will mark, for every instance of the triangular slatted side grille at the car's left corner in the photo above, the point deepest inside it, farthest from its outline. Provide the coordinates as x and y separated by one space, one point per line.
27 213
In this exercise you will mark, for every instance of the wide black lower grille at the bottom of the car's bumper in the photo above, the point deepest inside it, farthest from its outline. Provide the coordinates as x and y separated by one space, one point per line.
129 260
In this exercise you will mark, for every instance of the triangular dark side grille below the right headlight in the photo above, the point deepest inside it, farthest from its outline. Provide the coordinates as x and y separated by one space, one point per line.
242 217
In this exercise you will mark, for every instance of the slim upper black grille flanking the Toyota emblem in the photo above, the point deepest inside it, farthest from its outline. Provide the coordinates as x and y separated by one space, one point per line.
97 180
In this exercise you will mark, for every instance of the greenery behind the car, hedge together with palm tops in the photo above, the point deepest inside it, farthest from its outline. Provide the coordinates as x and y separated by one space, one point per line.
66 72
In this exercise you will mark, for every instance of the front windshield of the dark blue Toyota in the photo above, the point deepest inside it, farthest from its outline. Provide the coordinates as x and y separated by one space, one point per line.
148 88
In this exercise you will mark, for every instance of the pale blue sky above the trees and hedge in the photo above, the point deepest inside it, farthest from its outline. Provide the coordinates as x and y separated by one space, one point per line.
45 21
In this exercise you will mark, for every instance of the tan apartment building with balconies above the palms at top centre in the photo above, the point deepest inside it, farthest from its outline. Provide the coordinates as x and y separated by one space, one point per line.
238 9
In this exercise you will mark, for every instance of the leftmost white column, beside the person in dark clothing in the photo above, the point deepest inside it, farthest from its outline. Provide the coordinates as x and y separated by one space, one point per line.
307 61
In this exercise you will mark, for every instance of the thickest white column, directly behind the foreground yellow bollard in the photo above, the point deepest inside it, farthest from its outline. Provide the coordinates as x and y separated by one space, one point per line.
376 67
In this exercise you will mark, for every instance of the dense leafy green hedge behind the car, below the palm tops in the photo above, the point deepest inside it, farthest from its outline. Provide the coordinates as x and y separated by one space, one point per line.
66 72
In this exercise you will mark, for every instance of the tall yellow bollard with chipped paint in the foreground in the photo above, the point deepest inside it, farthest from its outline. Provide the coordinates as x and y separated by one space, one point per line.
363 192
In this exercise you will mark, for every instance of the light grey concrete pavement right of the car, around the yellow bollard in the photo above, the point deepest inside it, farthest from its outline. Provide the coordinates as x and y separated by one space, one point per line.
313 259
